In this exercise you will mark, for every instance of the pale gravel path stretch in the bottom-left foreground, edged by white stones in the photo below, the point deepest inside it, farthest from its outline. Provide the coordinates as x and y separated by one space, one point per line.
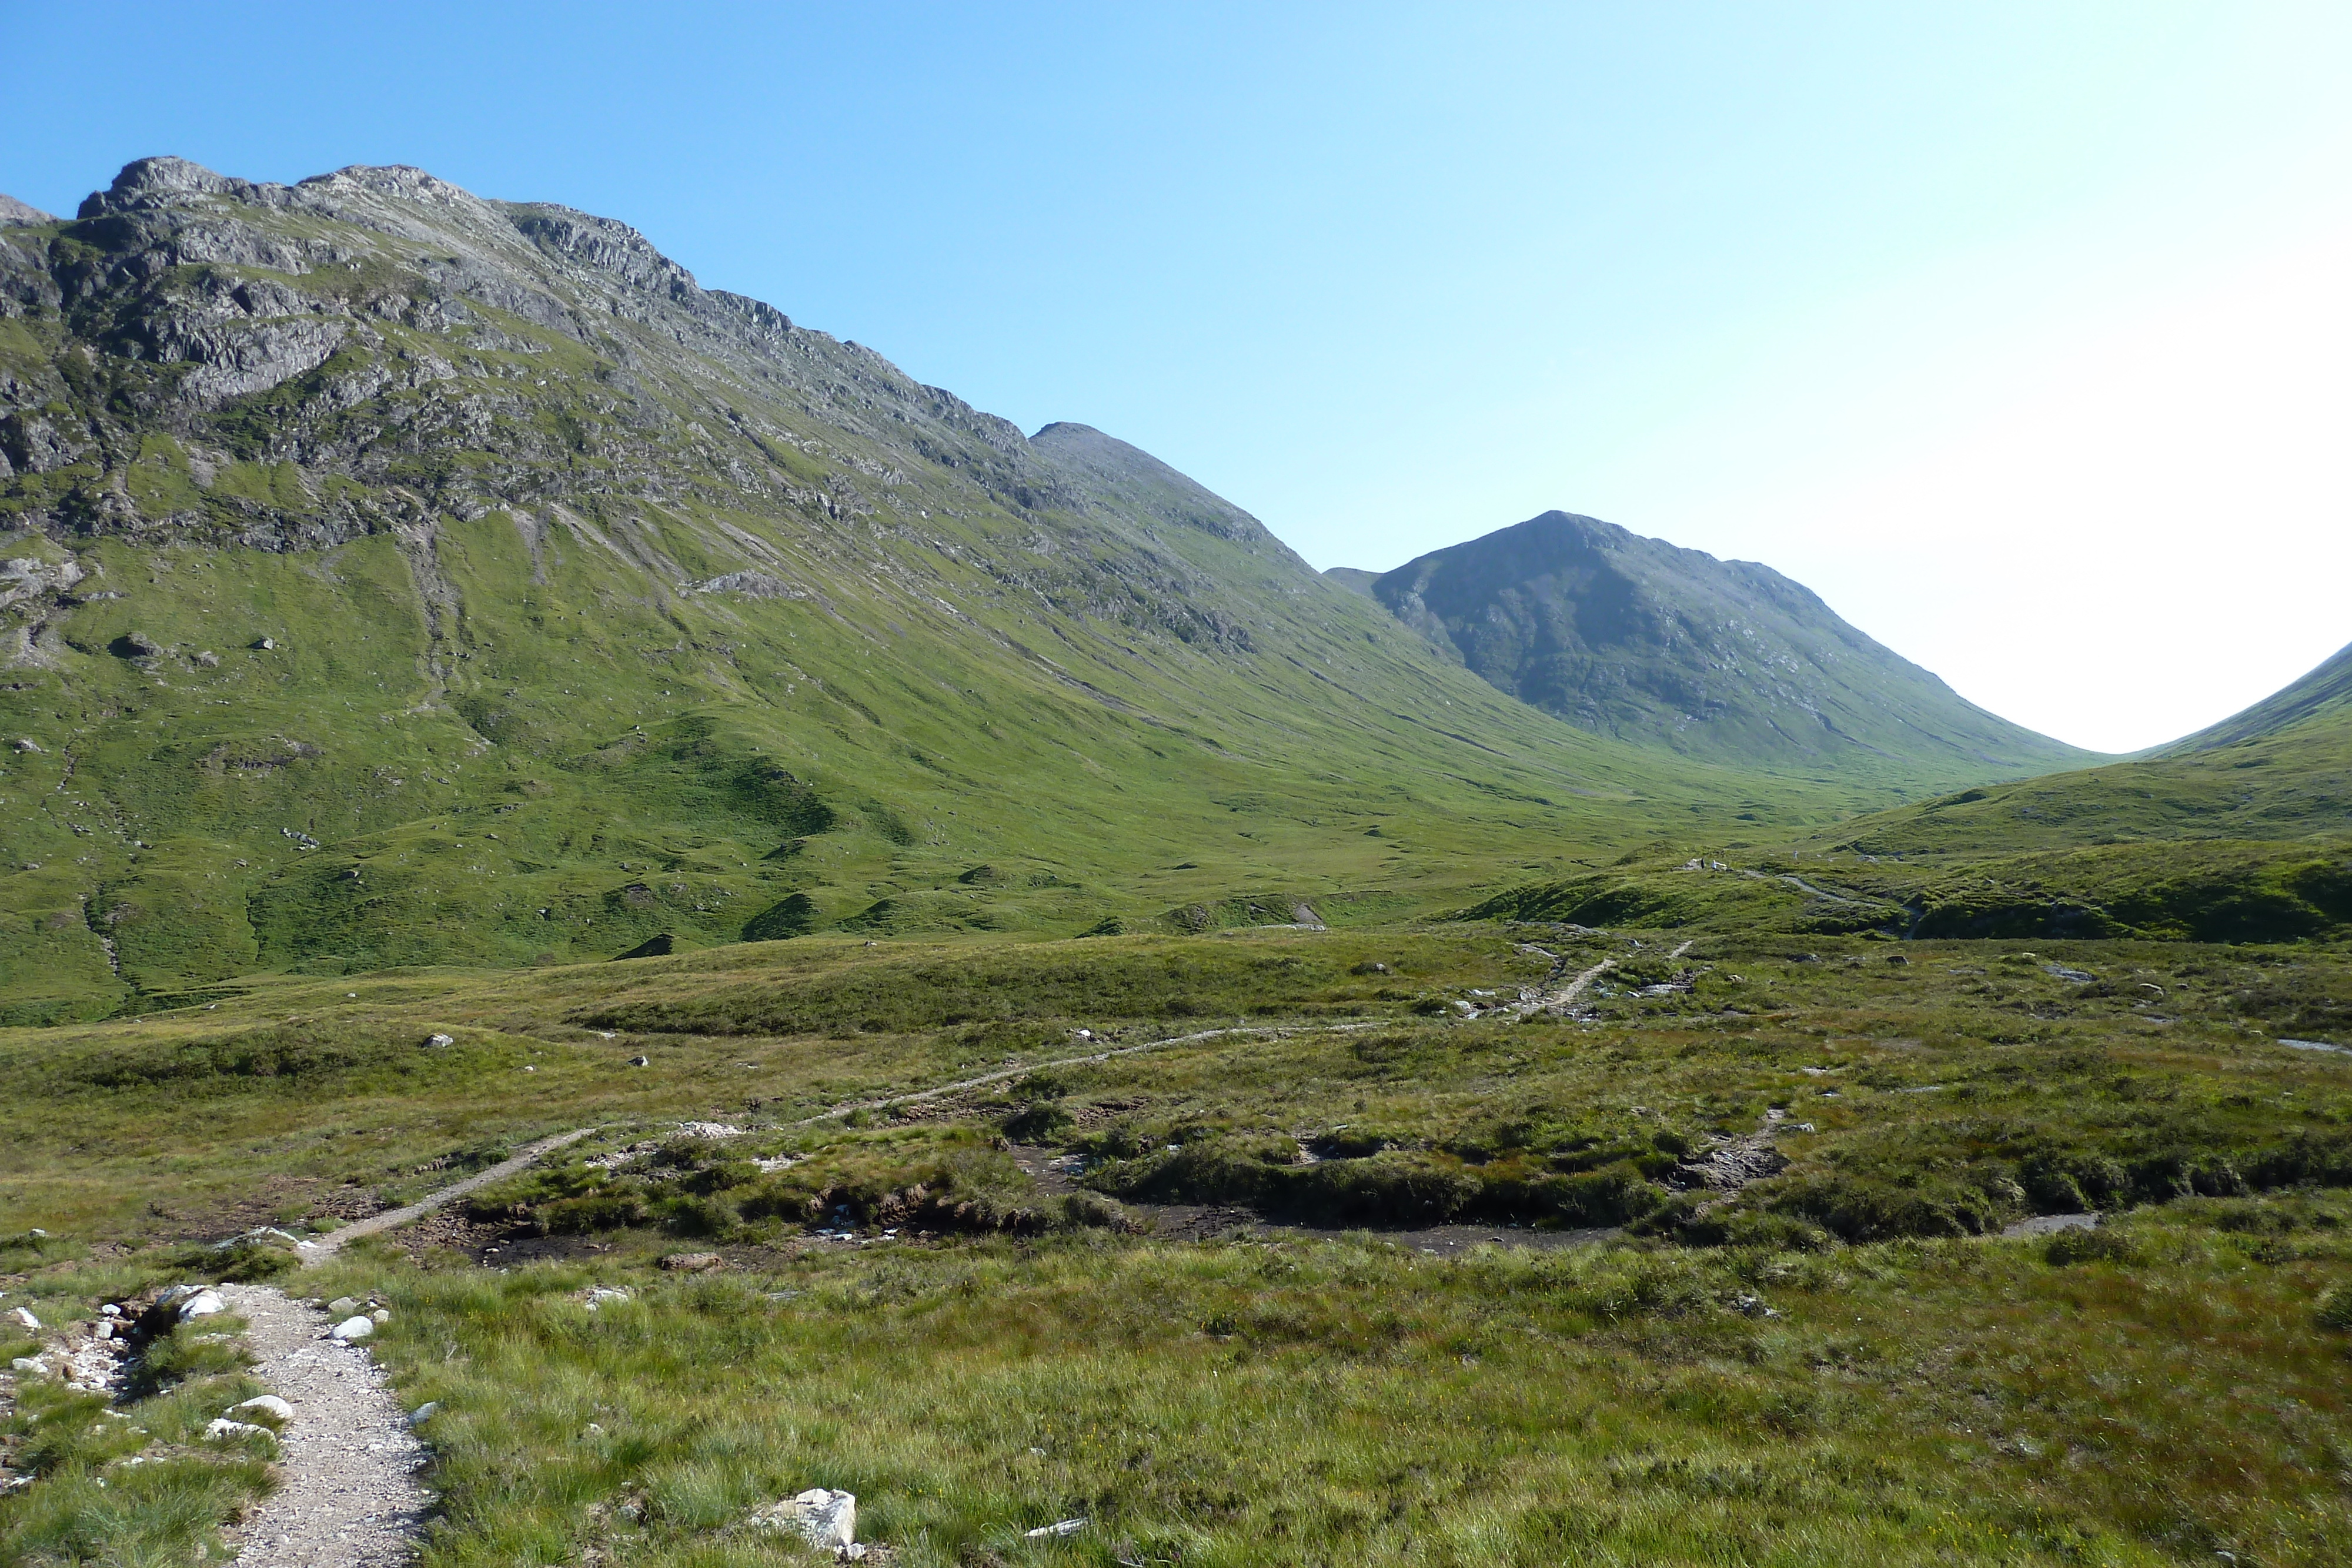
349 1494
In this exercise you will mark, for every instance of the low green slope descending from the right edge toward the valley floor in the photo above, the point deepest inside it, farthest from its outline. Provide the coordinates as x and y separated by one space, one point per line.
2243 840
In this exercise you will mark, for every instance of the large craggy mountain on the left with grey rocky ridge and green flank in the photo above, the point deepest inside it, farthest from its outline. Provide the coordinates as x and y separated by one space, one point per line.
401 577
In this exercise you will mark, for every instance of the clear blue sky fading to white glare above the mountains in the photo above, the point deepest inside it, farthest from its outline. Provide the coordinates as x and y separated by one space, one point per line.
2022 333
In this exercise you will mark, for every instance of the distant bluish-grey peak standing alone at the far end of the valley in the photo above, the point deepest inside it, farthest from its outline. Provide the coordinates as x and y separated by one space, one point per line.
1725 662
